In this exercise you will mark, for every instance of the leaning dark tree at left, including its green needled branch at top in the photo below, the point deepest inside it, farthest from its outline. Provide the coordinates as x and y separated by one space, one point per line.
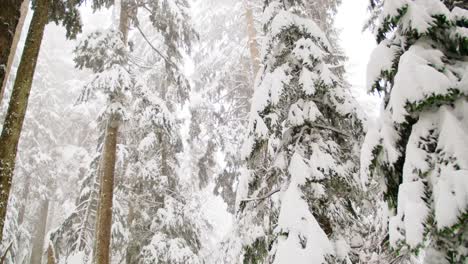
45 11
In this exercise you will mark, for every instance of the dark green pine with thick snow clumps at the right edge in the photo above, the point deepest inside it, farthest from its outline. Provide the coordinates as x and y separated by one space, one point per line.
418 151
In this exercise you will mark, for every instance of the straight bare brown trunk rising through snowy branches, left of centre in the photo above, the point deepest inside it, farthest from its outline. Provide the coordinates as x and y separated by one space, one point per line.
104 222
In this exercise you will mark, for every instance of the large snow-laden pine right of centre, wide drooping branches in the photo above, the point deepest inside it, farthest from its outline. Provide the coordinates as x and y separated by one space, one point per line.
300 190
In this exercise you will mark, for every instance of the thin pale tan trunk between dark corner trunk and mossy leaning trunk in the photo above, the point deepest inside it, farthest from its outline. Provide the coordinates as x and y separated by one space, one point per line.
11 57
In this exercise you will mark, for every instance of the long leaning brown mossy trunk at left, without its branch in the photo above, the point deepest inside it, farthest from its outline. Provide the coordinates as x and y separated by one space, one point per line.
18 103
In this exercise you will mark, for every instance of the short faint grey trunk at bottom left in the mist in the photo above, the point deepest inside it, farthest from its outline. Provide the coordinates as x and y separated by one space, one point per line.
39 237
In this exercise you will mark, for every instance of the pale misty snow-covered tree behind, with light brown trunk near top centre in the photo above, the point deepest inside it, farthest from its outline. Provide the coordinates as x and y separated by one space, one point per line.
224 77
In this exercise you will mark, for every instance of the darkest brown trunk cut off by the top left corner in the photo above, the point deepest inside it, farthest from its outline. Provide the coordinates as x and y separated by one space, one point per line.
10 13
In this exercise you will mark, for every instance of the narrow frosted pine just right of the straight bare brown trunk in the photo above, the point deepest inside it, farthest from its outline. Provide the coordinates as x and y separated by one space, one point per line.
173 232
